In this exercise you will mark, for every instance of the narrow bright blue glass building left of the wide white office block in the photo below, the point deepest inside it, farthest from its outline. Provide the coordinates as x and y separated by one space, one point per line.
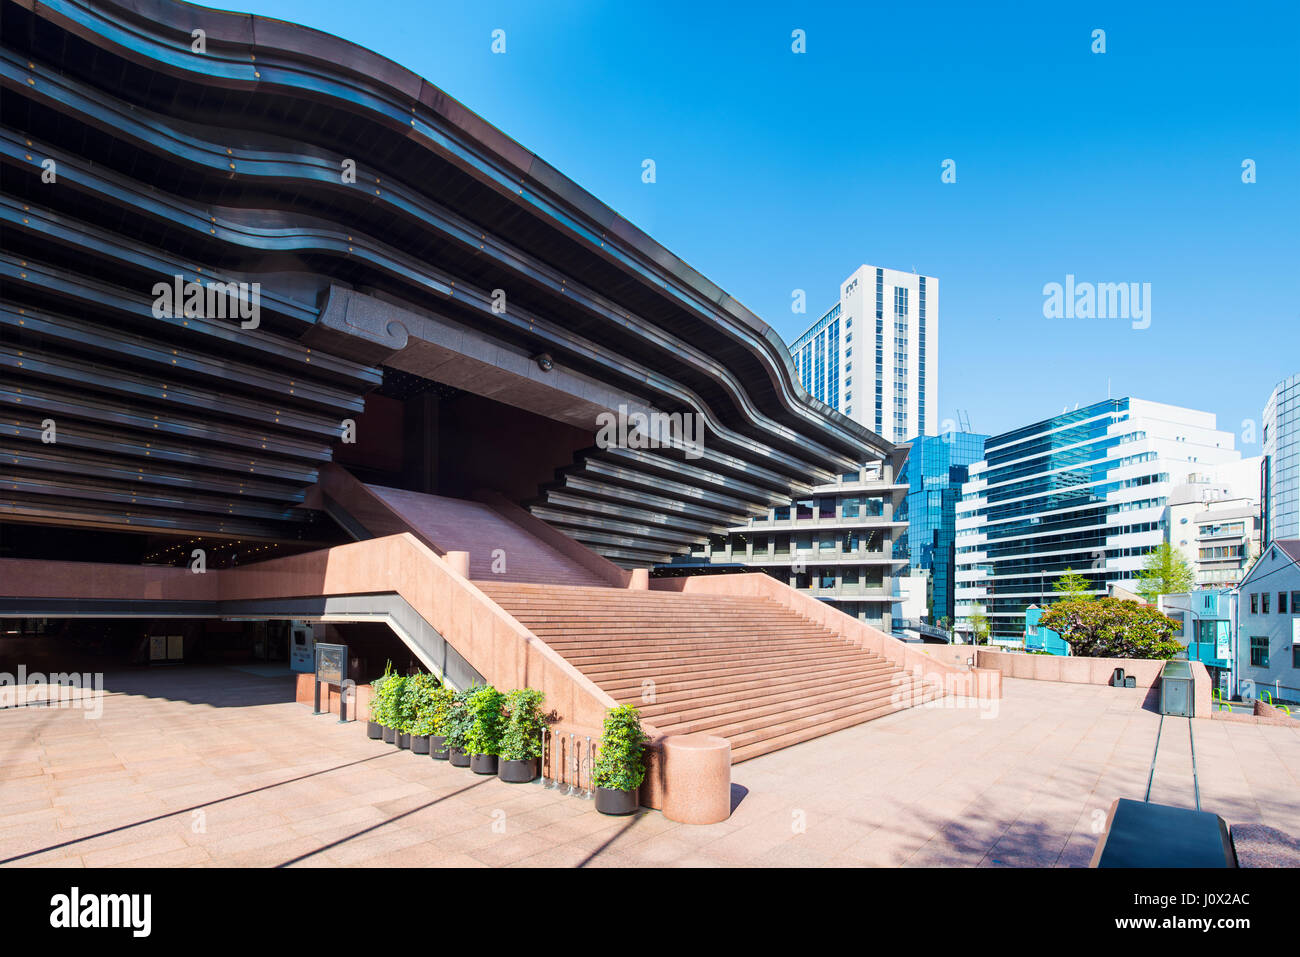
934 473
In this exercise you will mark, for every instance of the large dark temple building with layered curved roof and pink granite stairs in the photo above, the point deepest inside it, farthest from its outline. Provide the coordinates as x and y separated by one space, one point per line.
291 335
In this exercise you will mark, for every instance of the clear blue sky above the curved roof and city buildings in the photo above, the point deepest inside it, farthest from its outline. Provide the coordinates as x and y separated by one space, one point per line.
779 171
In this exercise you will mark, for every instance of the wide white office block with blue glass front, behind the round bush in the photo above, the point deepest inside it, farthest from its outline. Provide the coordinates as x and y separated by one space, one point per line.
1087 490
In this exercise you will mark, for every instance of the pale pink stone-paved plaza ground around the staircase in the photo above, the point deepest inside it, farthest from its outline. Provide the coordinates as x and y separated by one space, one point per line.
215 767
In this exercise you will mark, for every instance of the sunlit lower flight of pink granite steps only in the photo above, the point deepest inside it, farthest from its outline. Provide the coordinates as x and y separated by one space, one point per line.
746 669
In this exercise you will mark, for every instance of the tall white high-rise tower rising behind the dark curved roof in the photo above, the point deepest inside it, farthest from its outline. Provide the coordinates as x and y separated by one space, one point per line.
874 356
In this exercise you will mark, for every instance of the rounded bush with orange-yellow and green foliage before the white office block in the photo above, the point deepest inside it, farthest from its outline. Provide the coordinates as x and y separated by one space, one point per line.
1113 629
